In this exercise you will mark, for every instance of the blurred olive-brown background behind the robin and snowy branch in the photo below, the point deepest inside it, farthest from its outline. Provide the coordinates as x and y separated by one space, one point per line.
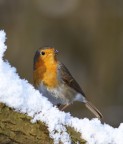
89 37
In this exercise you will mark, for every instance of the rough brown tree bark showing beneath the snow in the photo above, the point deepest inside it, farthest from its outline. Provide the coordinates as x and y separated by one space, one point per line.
16 128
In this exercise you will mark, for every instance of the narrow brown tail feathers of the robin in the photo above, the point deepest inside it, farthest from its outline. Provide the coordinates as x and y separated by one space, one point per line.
93 109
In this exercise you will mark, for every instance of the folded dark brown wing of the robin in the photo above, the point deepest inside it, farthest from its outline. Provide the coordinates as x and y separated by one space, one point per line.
68 79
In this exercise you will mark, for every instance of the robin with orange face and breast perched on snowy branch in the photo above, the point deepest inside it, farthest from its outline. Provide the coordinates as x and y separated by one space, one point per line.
54 81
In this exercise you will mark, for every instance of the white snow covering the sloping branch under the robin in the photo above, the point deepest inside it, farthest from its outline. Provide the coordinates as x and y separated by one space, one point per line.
17 93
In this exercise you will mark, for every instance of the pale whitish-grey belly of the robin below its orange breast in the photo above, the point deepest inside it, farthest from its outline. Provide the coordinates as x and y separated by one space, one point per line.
61 95
